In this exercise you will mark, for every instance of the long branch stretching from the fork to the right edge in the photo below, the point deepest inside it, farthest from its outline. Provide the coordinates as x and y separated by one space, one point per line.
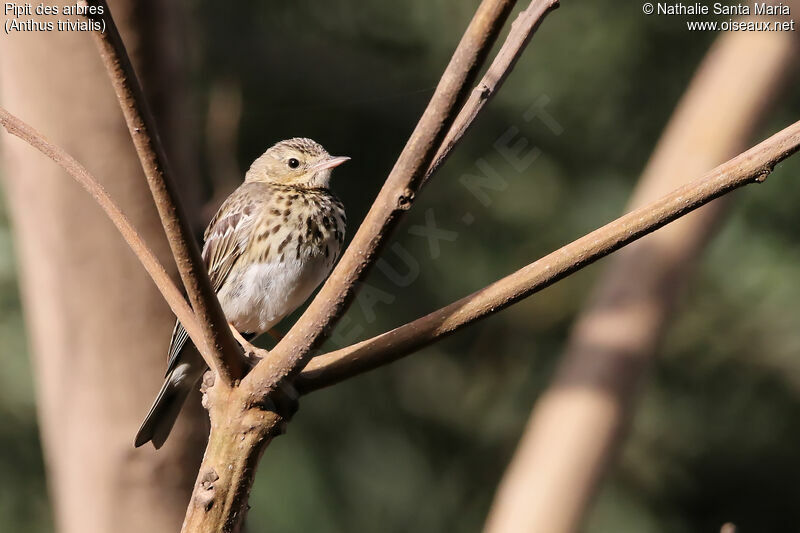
754 165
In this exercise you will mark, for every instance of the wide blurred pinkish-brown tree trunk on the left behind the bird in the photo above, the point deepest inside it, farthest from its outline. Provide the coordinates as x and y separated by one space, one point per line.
98 328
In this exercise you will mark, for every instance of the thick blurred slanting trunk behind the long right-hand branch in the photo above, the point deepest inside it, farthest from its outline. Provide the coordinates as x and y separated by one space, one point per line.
576 427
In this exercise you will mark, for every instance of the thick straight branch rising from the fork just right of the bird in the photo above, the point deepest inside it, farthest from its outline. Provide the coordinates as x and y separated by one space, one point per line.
395 198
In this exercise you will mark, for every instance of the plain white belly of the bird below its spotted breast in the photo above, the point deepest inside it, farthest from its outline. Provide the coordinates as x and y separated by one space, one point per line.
263 293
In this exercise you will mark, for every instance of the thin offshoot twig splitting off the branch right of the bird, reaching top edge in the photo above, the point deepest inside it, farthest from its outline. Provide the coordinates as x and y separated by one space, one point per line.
522 29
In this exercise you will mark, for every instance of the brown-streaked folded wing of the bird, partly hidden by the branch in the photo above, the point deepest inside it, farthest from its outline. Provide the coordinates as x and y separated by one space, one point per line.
225 240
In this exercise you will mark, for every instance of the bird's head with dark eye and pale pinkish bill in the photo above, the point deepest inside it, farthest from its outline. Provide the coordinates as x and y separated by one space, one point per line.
299 162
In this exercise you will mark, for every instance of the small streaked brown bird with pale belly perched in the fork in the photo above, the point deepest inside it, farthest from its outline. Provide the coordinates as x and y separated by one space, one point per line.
273 241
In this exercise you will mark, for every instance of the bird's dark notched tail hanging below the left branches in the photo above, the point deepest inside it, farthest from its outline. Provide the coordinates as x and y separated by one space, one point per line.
159 421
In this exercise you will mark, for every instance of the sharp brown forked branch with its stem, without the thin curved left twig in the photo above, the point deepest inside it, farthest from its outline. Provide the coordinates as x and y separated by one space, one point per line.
243 418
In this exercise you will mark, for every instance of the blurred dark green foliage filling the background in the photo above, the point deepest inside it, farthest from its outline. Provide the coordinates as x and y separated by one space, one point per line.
421 445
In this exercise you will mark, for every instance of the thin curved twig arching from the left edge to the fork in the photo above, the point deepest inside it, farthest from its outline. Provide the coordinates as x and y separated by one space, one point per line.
165 285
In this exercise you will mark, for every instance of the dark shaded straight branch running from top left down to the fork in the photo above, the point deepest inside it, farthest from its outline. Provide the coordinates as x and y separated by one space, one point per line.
222 353
